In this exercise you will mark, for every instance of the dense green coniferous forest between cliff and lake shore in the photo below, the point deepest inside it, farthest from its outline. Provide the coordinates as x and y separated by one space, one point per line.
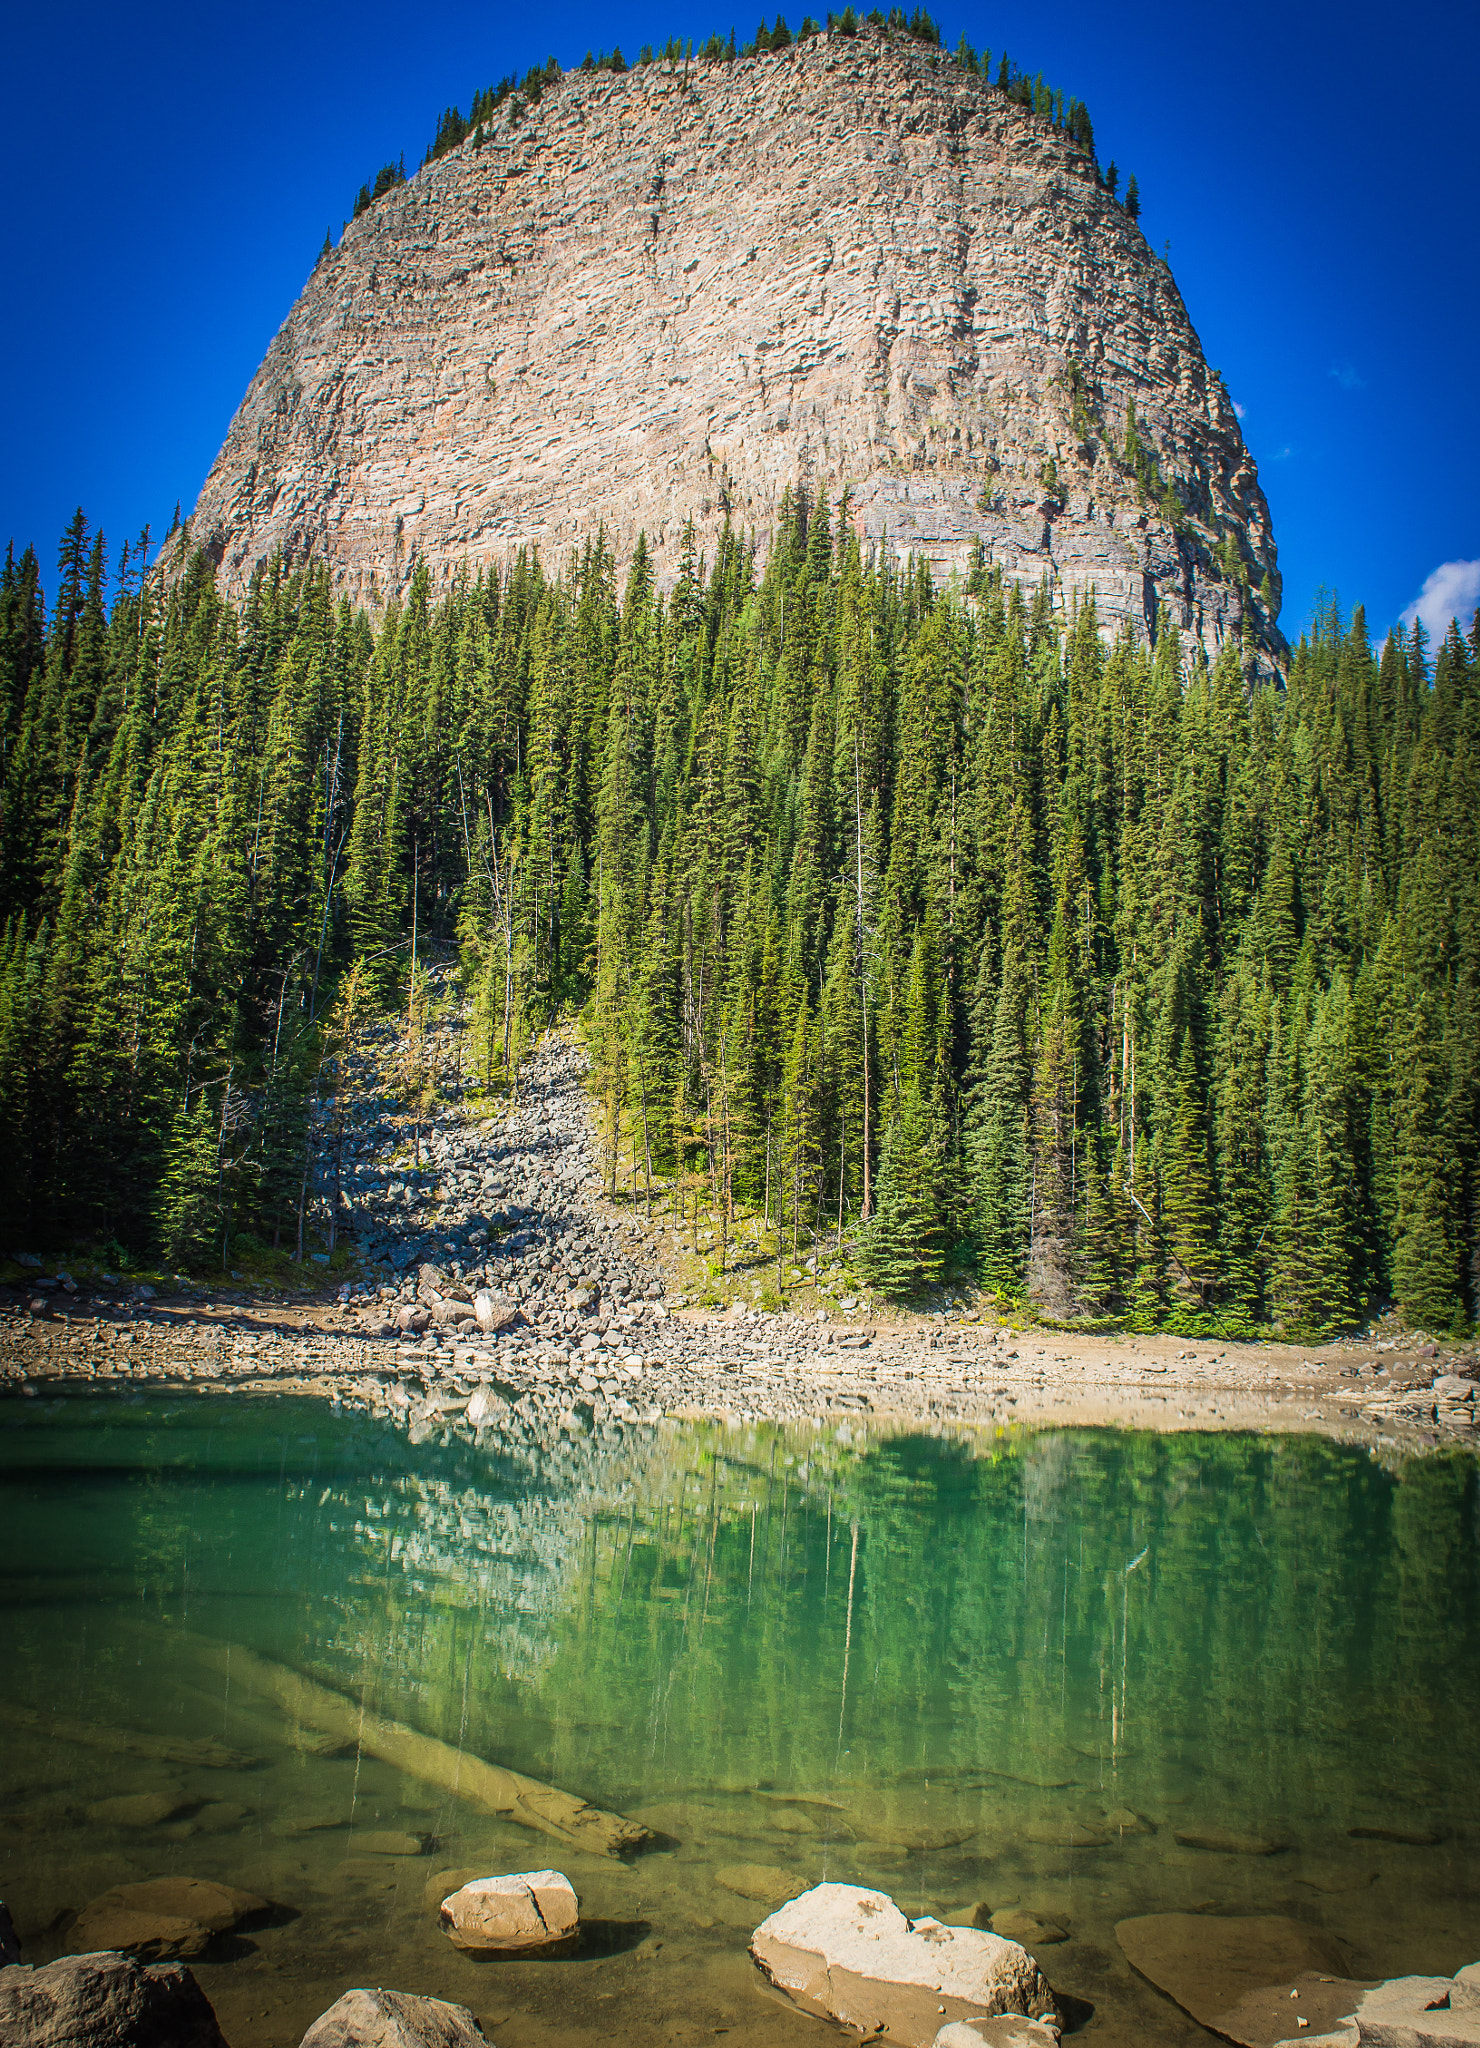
916 916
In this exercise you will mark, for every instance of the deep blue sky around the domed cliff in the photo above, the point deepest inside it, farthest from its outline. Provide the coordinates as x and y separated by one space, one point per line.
171 173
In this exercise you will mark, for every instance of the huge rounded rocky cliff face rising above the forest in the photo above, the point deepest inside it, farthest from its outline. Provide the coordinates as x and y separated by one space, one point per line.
844 267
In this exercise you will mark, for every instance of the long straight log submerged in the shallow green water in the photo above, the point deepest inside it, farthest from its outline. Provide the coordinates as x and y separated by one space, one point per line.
490 1787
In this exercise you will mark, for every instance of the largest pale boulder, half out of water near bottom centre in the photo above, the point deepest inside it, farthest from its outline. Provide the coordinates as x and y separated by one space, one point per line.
851 1955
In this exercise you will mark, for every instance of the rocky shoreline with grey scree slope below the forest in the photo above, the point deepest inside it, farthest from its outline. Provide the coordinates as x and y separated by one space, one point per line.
500 1289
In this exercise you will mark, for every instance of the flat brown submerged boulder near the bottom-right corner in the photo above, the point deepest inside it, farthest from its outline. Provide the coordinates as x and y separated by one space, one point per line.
1233 1973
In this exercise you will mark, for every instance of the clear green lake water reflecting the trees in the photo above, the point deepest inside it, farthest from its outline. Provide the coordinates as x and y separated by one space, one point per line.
961 1670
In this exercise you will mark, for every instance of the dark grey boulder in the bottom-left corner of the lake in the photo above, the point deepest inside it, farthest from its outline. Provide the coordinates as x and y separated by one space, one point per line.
105 2002
